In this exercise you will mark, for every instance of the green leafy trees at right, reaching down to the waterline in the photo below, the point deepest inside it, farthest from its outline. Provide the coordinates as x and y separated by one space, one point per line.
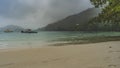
109 18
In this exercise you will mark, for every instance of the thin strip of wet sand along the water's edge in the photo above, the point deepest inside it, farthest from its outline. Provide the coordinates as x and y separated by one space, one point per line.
56 44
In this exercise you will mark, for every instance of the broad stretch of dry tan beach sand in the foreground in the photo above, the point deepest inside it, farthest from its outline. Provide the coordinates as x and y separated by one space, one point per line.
97 55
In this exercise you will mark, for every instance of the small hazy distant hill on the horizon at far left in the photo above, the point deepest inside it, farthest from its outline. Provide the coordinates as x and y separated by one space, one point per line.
12 28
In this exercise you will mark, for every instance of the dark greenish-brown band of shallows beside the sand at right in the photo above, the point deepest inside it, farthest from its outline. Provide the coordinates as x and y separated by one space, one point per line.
89 40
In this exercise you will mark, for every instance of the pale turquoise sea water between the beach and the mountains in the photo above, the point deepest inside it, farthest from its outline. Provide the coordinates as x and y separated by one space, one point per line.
43 38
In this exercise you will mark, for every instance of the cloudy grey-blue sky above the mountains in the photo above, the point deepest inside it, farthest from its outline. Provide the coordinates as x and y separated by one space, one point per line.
38 13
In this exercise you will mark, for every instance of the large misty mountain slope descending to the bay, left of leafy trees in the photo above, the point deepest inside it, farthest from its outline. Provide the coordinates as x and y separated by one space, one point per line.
74 22
